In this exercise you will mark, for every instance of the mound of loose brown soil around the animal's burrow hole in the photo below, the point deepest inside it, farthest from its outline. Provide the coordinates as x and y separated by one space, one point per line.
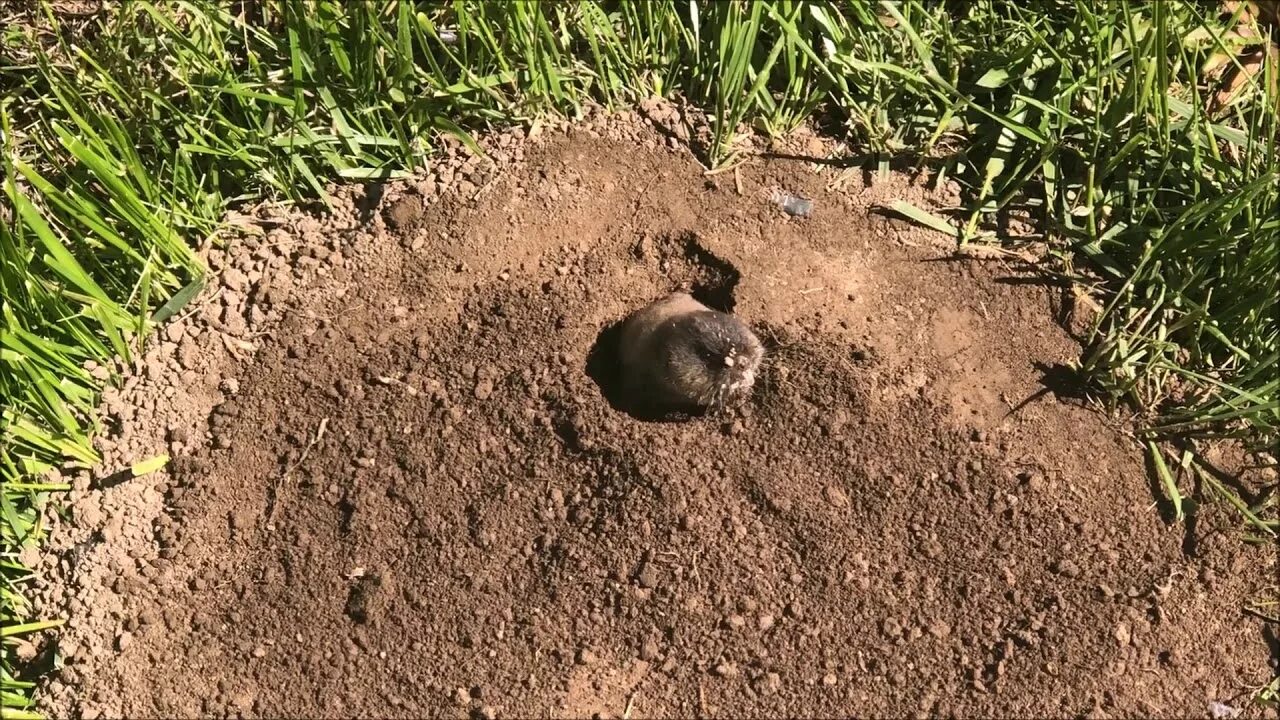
400 487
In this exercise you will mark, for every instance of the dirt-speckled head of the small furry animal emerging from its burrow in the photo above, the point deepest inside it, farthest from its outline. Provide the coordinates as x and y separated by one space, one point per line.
716 358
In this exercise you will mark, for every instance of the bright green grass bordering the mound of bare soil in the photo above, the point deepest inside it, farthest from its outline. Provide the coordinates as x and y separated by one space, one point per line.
126 135
